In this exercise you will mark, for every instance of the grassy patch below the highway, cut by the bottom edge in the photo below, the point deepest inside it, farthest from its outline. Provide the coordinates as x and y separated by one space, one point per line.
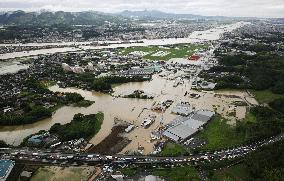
178 173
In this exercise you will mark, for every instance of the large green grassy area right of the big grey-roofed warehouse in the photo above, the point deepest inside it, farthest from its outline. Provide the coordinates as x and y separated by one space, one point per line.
220 135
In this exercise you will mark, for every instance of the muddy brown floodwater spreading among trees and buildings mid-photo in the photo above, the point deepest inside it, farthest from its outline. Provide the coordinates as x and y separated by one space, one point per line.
130 110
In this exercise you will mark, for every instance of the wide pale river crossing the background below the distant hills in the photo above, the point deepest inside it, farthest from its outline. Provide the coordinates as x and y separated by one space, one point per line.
196 36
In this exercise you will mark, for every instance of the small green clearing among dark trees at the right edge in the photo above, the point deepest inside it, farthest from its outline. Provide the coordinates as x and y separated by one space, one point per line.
265 96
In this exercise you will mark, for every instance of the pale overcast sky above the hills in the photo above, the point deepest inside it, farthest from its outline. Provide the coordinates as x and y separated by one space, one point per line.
258 8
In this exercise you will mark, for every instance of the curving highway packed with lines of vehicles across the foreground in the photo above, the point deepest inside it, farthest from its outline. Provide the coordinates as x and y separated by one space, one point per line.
53 157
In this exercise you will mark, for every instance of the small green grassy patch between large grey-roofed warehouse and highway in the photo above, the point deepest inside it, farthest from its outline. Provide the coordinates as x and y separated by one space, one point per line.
173 149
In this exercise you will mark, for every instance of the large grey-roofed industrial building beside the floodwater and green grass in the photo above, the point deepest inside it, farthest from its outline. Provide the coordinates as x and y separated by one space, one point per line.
182 128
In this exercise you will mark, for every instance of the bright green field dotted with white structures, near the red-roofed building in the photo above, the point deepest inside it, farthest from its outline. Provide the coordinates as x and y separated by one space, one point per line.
175 51
